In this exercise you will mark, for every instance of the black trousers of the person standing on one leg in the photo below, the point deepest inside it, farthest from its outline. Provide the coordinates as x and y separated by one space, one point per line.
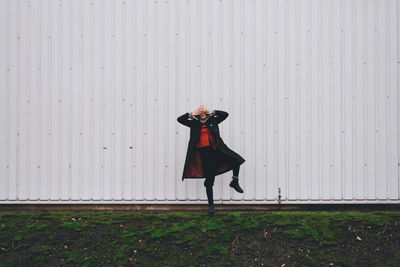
210 160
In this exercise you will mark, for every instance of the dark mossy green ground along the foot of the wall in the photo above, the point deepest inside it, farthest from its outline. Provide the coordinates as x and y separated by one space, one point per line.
239 238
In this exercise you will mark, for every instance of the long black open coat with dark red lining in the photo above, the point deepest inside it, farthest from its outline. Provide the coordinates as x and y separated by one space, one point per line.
193 167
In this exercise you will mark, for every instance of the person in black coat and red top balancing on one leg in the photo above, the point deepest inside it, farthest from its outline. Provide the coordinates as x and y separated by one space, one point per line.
207 154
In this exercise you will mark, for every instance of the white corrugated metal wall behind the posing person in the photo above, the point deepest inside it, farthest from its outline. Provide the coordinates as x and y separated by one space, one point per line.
90 91
